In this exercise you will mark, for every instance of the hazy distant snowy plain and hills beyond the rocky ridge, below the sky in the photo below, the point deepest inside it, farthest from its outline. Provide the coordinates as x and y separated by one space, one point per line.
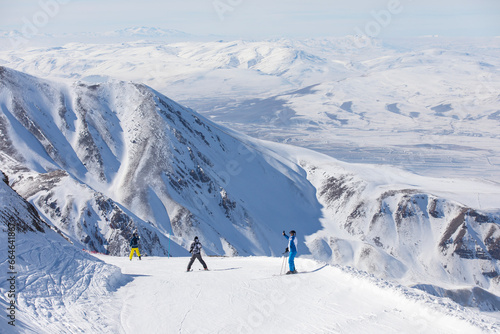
429 105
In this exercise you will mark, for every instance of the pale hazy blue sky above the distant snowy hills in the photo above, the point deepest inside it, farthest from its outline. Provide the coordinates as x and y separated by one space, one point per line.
260 18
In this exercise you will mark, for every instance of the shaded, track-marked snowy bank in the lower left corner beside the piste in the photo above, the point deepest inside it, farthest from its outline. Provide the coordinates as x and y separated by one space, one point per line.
56 286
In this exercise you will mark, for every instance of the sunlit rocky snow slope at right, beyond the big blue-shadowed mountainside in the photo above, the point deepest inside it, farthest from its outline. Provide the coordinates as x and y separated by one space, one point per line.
406 234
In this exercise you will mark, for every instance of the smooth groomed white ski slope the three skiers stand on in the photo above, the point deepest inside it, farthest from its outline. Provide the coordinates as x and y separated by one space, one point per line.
247 295
